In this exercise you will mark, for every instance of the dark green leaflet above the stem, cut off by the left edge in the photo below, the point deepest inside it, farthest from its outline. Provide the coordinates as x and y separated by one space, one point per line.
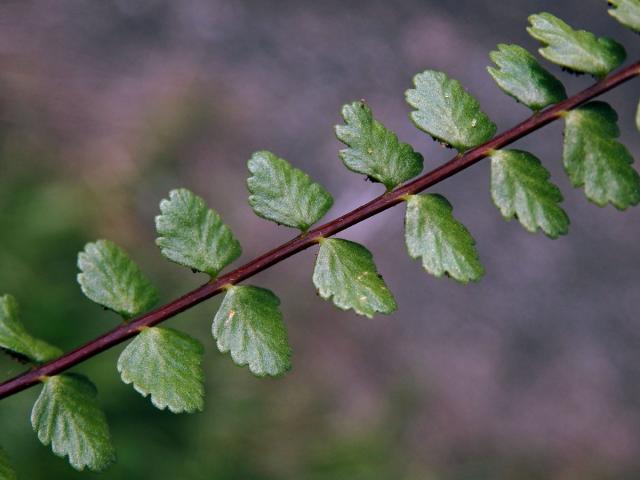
15 339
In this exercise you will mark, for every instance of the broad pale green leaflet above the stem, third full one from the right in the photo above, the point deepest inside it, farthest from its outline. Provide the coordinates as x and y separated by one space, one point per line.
447 112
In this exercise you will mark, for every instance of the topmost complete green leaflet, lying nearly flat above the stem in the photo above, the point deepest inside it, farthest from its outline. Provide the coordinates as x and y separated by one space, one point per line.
576 50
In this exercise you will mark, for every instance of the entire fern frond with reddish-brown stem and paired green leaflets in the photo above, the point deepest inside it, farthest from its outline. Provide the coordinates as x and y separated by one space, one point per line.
167 365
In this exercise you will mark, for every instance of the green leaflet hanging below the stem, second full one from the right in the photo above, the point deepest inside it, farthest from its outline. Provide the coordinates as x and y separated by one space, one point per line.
520 188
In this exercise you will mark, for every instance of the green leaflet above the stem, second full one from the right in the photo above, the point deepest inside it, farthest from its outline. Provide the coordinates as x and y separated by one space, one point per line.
520 75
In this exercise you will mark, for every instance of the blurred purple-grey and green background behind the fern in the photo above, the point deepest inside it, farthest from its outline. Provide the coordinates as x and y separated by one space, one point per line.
533 373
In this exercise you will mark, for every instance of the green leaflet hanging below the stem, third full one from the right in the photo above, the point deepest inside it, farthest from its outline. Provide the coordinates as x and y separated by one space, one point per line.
445 245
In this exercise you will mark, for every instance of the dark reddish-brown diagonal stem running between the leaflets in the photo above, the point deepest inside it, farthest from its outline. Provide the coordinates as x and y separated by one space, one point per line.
286 250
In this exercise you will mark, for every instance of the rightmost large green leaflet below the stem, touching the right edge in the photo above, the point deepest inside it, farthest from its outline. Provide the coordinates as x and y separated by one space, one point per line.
593 158
